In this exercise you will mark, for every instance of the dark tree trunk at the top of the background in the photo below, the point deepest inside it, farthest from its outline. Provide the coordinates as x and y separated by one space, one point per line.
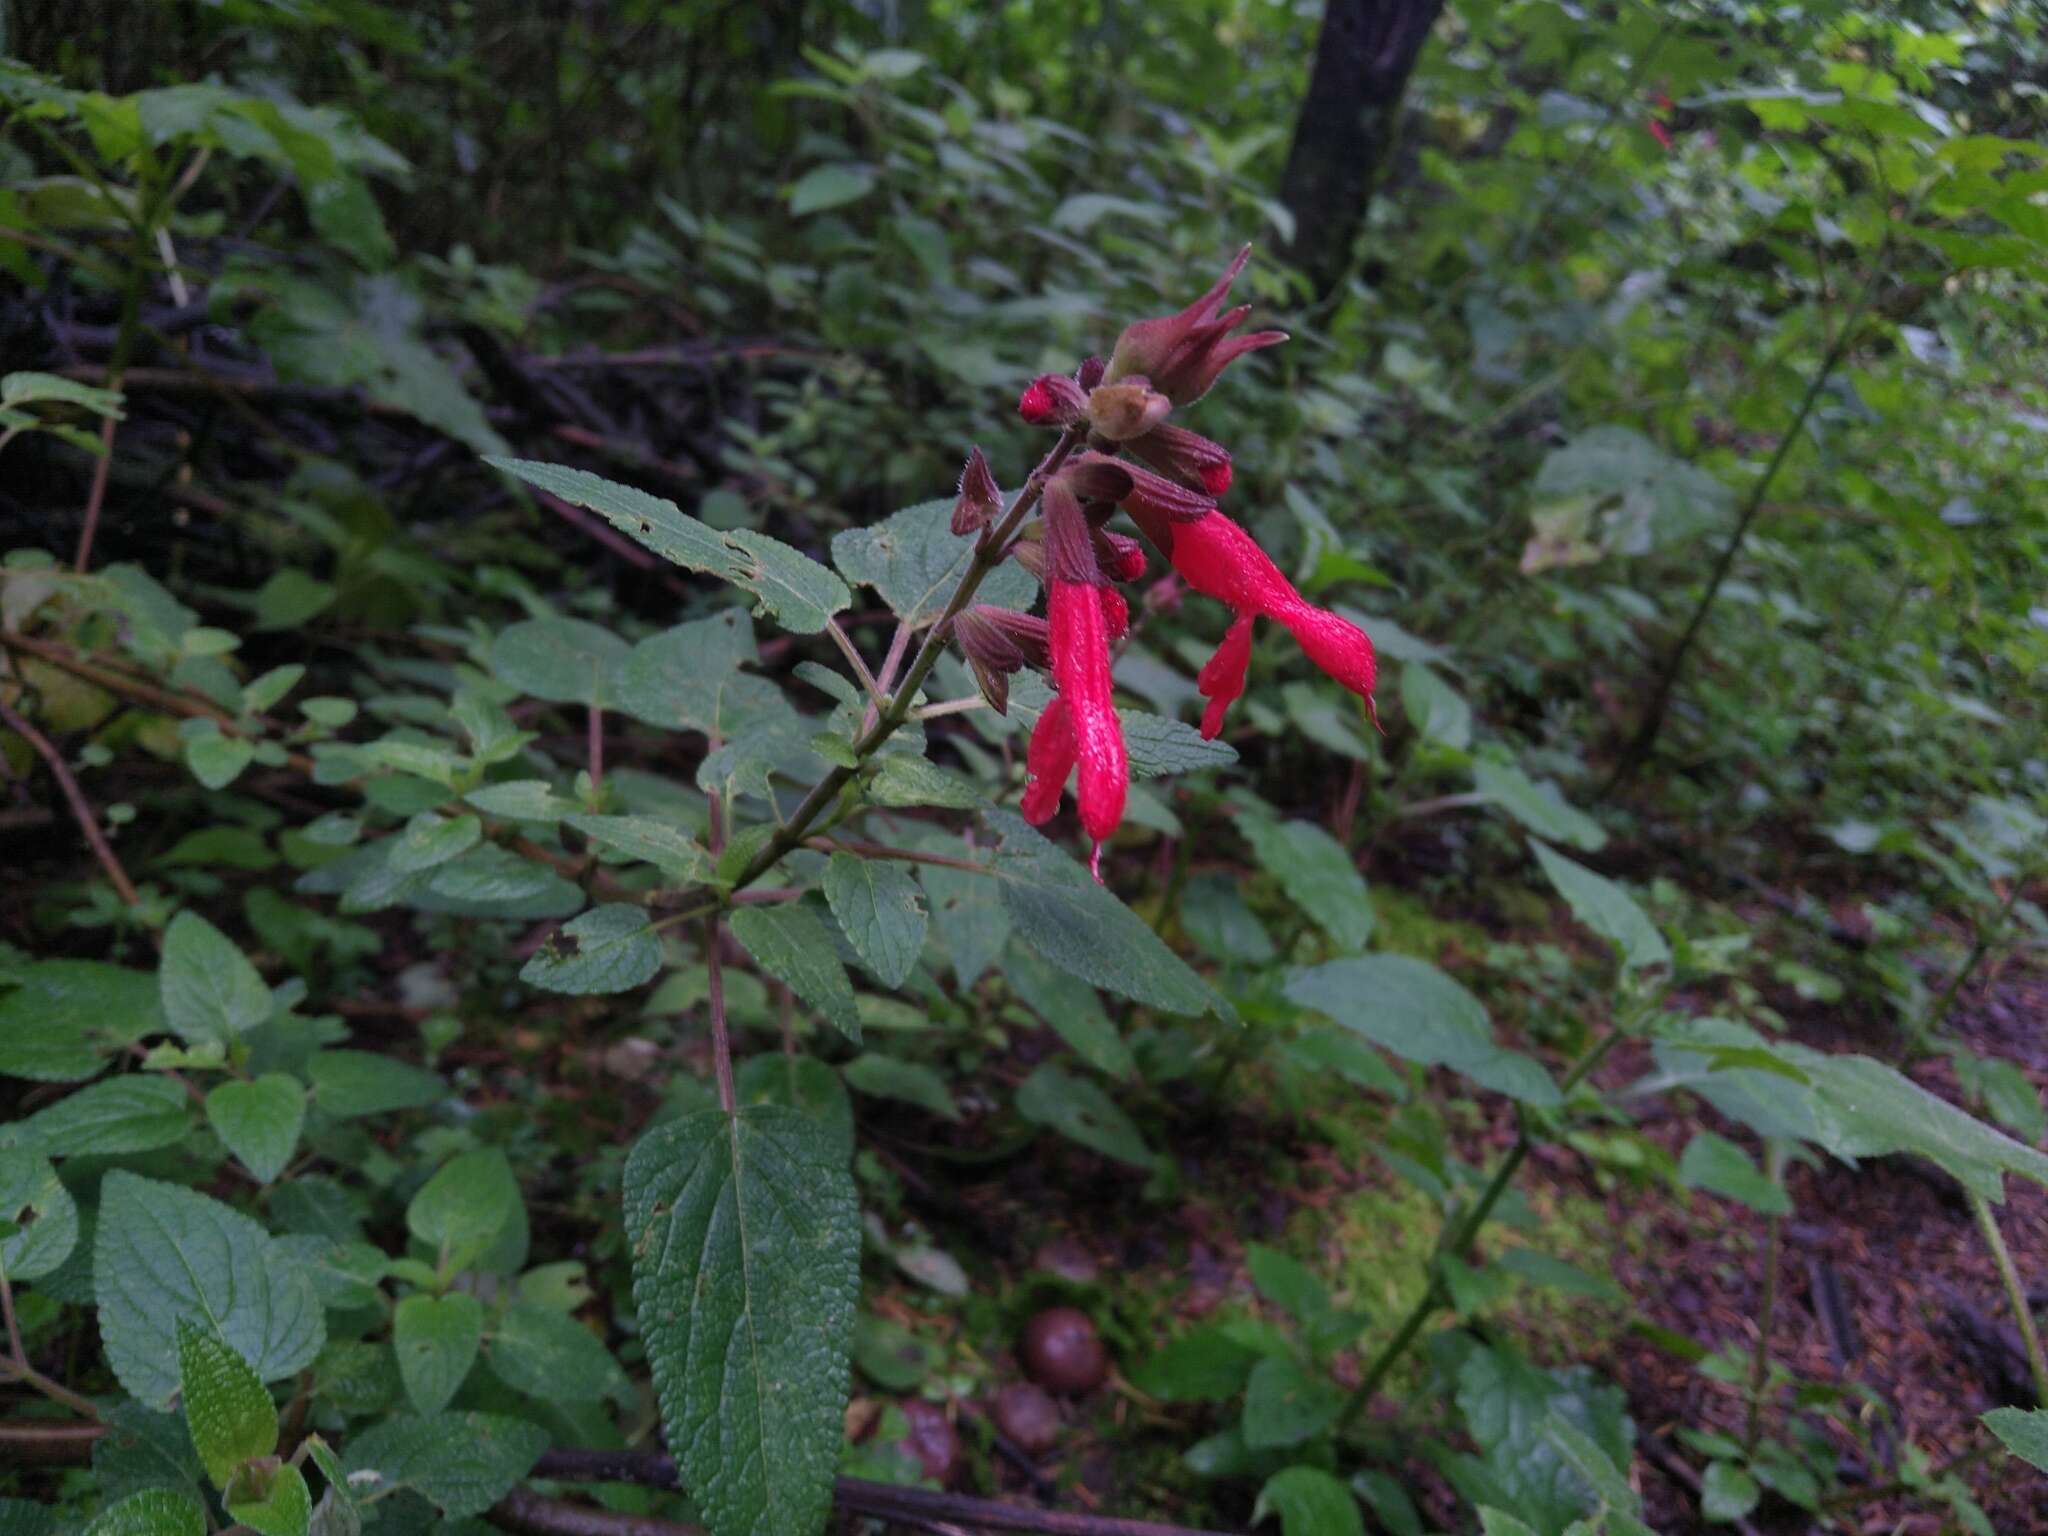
1363 60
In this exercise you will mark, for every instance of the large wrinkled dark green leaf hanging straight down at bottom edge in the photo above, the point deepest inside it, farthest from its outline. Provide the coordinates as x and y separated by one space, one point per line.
746 1265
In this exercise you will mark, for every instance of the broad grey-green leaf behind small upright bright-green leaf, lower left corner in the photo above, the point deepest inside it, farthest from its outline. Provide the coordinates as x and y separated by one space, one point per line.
167 1254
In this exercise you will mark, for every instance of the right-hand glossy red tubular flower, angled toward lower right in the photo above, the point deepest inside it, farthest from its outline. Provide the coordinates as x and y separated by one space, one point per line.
1224 562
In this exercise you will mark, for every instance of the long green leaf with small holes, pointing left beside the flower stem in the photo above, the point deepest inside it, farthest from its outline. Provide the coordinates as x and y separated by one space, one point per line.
794 587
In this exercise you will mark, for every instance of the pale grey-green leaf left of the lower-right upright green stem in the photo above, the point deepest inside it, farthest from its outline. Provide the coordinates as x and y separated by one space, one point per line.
1418 1013
